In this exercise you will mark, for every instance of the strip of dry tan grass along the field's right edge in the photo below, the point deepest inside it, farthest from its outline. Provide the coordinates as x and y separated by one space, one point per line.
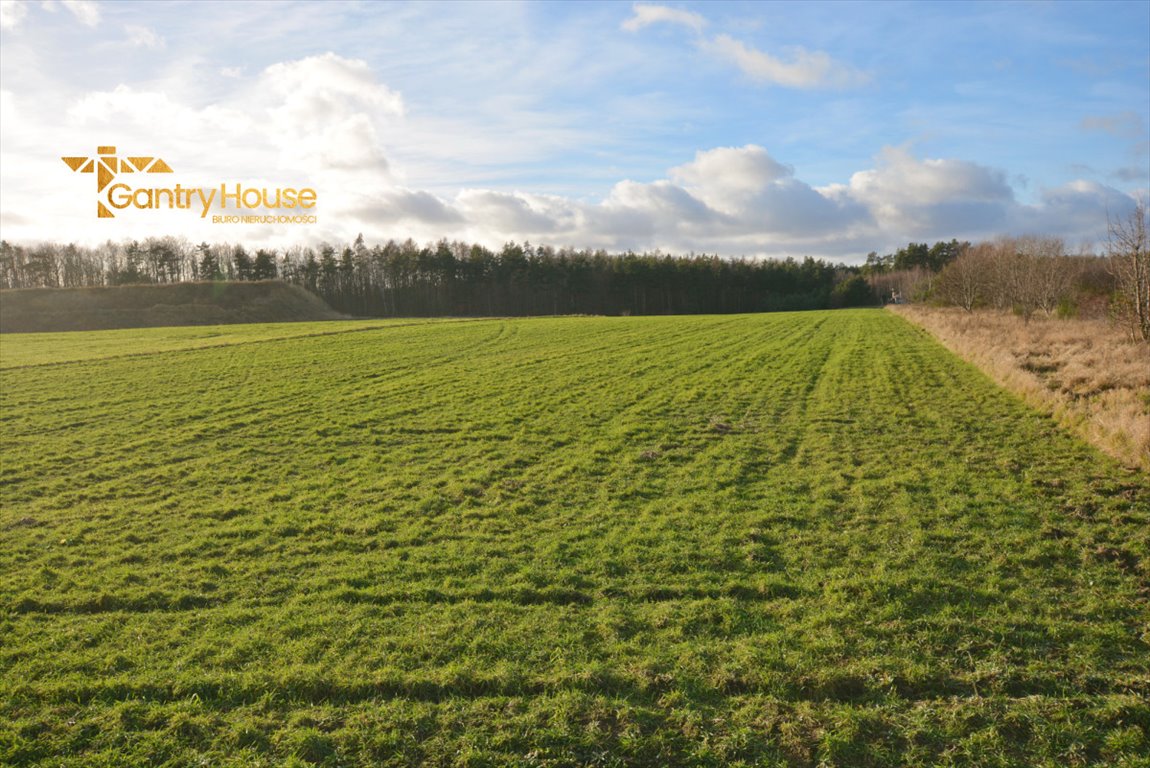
1085 373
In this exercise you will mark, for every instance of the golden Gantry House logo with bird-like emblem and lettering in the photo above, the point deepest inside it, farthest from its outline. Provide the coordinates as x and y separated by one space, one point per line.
286 205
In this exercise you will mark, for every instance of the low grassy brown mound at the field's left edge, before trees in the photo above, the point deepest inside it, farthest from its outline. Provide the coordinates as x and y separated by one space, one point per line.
145 306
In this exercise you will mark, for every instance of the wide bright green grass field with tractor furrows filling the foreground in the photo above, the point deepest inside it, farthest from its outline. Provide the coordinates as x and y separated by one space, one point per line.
794 540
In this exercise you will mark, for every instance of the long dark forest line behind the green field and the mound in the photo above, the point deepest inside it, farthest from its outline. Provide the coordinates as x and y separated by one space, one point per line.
457 279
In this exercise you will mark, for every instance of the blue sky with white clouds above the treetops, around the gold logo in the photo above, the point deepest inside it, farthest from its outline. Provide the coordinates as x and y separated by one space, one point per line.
745 129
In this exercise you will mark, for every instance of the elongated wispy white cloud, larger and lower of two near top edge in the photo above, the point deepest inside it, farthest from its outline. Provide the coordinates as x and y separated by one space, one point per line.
806 70
